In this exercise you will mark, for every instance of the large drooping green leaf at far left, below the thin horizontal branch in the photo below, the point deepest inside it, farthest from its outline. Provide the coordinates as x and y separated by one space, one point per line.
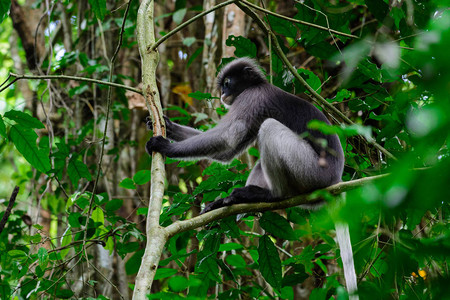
25 141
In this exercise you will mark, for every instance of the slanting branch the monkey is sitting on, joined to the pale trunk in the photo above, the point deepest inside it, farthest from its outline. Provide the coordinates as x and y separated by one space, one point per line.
221 213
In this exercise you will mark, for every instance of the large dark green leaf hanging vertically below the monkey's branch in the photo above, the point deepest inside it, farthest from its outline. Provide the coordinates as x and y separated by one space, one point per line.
269 262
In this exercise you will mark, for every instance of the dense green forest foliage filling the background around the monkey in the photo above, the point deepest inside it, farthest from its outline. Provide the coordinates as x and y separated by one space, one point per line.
391 80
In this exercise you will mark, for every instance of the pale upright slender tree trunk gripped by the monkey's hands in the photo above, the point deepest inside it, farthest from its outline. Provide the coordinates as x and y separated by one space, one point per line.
156 236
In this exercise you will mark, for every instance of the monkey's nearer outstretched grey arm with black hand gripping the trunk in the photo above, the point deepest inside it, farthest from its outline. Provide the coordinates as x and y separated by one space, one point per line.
221 143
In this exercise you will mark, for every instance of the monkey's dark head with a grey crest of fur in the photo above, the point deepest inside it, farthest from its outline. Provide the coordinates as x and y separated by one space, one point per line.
237 76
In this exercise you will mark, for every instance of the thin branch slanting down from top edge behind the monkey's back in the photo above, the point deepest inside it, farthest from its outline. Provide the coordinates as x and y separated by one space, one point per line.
316 97
